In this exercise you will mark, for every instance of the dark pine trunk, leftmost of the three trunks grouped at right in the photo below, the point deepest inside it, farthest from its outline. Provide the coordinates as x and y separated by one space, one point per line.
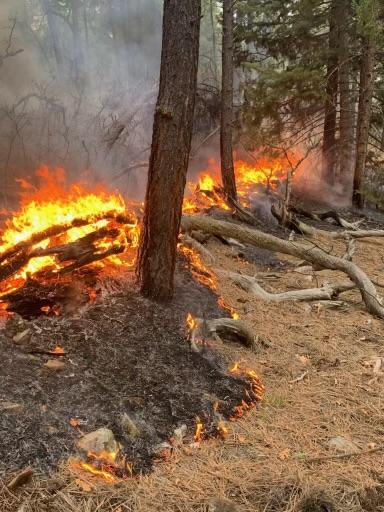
329 138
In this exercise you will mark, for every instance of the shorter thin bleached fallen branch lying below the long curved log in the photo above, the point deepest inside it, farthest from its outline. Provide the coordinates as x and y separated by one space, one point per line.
250 284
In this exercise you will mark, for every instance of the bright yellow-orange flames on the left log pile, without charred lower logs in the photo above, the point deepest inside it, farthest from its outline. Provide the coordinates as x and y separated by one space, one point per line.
77 212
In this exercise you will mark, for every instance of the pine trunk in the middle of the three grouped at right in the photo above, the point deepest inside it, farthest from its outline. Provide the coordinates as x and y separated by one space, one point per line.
346 140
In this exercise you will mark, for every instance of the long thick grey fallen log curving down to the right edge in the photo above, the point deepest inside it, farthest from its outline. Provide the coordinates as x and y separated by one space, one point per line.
304 251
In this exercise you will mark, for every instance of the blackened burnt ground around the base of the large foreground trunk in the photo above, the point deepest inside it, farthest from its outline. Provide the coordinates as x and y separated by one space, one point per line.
124 355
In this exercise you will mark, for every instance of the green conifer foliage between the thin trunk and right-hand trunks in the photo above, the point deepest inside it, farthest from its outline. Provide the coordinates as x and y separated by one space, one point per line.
283 52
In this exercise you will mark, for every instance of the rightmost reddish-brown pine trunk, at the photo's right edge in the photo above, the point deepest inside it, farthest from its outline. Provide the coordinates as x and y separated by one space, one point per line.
367 78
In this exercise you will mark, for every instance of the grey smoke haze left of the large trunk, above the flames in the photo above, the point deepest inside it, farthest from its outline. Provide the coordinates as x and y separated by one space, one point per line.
81 94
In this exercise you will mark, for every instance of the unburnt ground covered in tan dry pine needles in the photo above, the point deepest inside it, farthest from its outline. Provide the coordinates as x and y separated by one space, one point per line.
317 368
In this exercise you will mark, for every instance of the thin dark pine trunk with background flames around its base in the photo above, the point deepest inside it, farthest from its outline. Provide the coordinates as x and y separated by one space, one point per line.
226 152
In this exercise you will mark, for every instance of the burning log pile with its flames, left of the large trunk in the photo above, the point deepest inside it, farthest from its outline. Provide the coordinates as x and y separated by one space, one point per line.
59 229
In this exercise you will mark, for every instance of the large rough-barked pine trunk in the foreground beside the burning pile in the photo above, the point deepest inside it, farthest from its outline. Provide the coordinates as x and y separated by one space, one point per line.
171 144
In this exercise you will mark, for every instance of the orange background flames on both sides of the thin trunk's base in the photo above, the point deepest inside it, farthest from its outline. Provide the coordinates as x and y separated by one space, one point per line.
264 174
